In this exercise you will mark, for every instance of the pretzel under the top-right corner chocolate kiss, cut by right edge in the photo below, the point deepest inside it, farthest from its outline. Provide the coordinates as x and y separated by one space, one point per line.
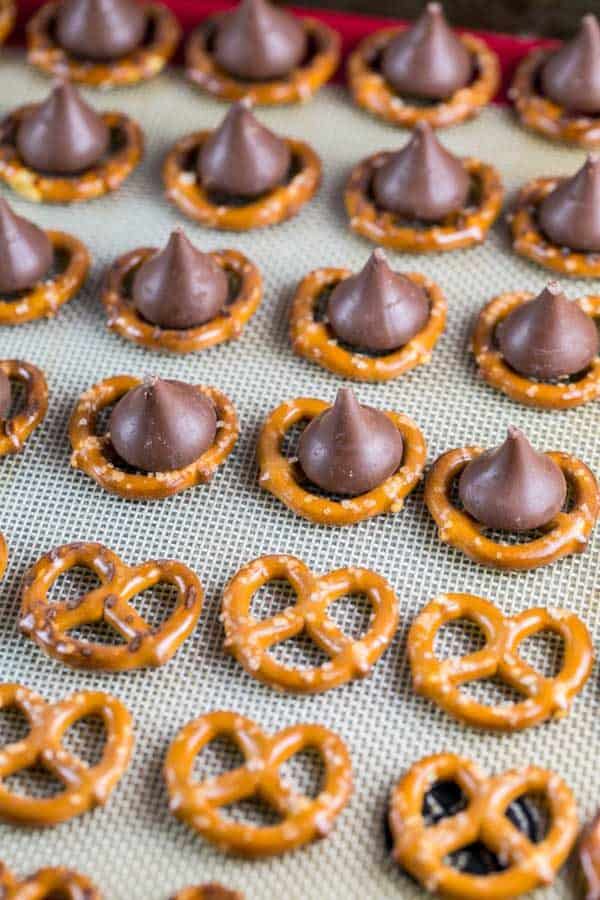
541 114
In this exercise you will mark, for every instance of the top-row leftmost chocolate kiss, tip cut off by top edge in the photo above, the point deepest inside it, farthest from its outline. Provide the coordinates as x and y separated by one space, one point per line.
100 29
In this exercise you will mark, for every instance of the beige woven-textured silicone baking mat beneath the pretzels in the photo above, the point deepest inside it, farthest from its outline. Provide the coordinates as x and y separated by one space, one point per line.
134 848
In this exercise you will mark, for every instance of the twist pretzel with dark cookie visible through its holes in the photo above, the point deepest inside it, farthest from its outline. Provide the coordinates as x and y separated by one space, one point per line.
421 849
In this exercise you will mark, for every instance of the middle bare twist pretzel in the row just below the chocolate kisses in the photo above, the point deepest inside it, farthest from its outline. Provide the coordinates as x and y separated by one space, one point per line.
250 640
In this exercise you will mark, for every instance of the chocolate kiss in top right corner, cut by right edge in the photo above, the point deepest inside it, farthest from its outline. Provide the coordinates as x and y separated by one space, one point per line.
571 76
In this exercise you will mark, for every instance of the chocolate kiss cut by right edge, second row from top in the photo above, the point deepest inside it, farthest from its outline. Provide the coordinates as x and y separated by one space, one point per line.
570 215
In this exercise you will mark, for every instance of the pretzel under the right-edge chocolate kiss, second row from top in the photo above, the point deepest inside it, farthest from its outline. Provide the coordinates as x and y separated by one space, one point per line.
530 242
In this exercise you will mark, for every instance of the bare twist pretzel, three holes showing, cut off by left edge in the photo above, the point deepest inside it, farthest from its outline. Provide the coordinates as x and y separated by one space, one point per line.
85 786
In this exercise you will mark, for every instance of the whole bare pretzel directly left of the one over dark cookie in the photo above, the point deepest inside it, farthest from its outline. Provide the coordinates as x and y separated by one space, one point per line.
304 819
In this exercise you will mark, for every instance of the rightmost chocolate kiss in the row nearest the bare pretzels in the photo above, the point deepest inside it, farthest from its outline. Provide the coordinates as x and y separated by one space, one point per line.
513 488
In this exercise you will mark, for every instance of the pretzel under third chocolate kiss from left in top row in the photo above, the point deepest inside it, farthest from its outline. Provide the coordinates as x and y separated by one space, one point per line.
372 92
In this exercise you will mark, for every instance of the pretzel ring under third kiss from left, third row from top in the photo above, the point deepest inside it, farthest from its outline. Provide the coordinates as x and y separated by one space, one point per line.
312 337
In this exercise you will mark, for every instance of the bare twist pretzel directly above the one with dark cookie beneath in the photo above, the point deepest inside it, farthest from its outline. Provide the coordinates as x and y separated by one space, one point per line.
441 680
